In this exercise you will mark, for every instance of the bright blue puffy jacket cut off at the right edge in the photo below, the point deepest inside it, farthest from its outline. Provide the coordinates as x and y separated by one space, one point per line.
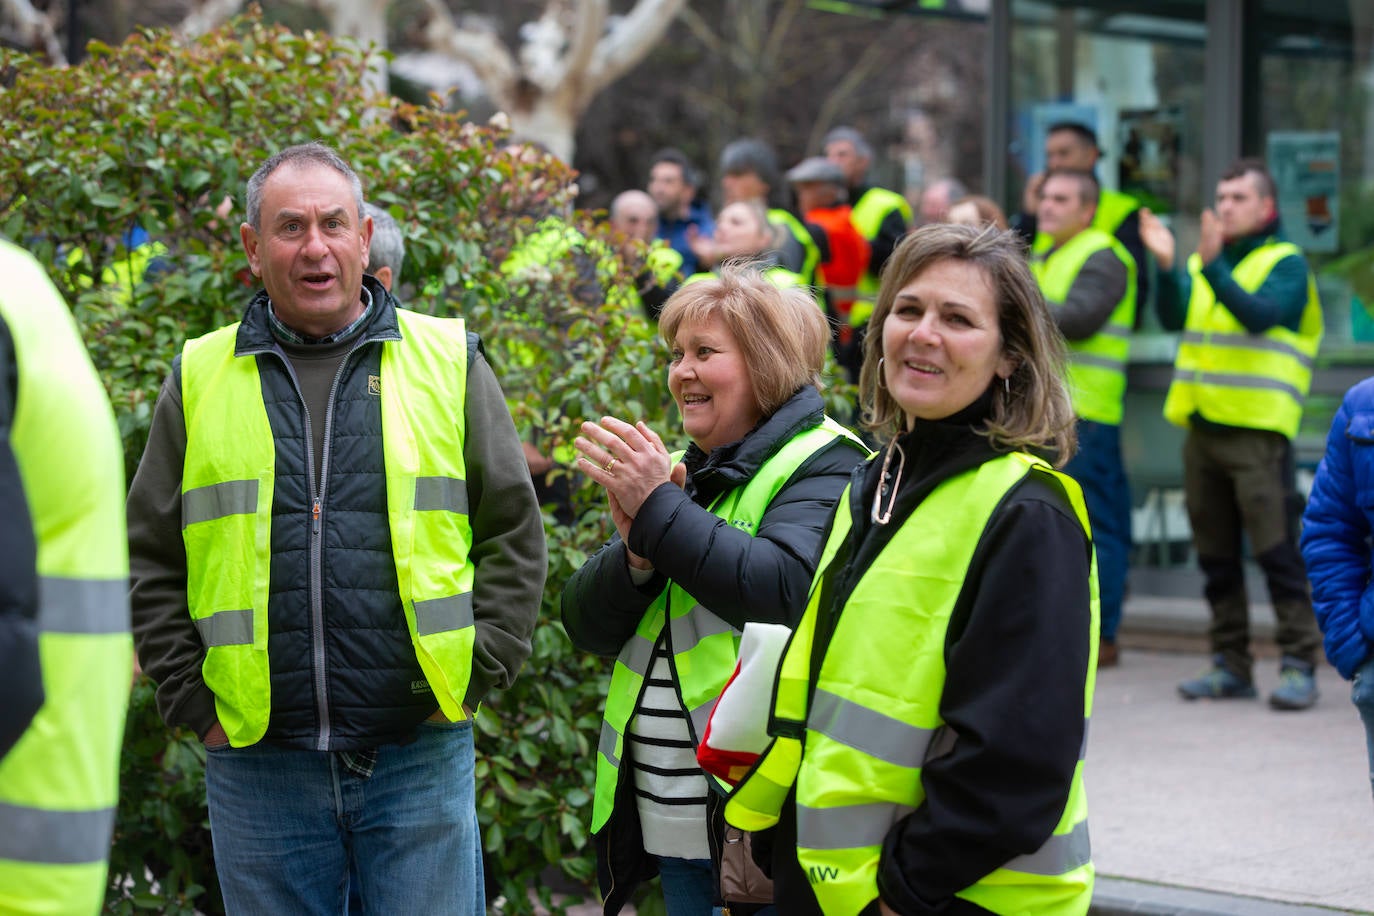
1336 534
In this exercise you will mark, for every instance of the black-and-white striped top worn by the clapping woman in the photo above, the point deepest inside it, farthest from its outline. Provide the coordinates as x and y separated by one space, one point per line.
670 788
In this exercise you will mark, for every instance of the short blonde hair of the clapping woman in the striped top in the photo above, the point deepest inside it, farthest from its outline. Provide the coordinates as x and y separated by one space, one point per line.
781 333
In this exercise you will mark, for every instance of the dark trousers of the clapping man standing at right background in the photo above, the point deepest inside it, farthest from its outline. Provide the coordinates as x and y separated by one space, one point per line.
1241 483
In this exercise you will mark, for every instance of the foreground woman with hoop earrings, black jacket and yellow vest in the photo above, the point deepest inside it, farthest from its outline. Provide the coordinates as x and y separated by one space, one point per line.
934 764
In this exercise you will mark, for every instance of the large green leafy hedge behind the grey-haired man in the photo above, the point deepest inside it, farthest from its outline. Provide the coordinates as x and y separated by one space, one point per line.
156 133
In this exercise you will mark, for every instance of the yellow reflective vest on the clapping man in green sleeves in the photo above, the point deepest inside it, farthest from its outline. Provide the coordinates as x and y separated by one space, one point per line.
1233 377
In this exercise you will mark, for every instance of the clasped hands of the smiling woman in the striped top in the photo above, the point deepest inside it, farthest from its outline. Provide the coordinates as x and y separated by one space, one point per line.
630 462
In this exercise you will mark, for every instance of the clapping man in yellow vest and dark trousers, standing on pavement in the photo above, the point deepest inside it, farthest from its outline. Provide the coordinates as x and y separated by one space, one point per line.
1252 325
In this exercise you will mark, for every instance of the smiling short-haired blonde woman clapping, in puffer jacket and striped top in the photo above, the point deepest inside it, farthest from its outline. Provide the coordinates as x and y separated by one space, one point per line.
726 535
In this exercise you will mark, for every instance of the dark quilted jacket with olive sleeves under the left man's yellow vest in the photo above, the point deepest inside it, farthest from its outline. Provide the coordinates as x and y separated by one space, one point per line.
374 691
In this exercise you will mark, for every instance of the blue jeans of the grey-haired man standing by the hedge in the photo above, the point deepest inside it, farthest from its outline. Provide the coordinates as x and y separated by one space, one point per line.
289 825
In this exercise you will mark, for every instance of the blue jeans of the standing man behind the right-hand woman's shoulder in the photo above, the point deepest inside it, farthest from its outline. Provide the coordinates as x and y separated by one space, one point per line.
1099 470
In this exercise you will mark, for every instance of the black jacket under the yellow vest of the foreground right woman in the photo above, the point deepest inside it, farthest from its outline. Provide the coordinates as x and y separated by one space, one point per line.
1017 663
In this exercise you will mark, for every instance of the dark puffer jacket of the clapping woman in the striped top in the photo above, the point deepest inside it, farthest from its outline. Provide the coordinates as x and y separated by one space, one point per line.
741 579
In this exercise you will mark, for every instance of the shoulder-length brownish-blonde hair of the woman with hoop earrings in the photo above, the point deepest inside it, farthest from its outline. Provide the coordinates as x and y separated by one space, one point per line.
1033 411
